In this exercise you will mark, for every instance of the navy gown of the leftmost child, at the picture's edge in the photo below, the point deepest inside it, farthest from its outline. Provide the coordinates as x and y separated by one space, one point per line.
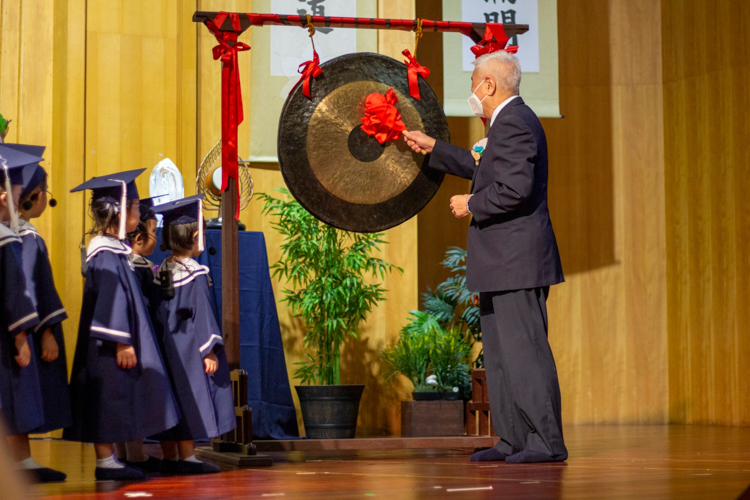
20 395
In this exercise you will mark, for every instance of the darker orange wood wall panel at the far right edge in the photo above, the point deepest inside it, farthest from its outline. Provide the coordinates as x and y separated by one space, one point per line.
706 107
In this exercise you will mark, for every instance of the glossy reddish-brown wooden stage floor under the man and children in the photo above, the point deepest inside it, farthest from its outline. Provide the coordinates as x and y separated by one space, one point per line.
605 462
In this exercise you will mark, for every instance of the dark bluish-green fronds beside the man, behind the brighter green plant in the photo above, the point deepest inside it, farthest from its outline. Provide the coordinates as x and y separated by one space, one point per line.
452 305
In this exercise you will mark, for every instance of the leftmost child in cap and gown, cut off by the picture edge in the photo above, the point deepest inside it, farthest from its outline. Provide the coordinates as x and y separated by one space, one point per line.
20 392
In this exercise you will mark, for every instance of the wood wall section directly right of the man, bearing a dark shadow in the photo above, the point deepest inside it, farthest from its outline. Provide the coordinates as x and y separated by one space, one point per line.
606 192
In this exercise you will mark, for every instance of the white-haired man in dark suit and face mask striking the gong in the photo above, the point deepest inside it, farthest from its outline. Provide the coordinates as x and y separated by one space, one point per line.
512 260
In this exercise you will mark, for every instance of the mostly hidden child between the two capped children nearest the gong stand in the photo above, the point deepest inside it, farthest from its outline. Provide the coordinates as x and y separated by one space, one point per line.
143 242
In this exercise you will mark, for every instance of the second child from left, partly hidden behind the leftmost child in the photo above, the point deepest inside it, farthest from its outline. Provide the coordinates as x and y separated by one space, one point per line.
49 343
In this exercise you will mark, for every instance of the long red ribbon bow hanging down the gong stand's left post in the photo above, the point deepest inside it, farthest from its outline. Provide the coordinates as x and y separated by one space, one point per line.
231 96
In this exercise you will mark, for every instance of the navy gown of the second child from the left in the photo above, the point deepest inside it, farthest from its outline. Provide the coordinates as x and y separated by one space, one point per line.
53 376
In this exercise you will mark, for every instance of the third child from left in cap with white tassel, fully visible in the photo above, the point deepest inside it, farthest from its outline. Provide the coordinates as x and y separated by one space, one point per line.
119 386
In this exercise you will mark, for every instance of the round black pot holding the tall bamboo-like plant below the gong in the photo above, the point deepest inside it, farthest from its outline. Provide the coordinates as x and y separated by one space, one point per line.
330 411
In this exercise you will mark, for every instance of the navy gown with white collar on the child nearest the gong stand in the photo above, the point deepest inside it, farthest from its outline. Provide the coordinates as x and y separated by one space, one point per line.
189 332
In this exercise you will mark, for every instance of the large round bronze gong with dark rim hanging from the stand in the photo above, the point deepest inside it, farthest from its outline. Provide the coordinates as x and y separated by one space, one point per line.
340 174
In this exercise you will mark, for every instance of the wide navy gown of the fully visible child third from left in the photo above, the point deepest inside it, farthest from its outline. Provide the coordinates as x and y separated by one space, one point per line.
110 404
